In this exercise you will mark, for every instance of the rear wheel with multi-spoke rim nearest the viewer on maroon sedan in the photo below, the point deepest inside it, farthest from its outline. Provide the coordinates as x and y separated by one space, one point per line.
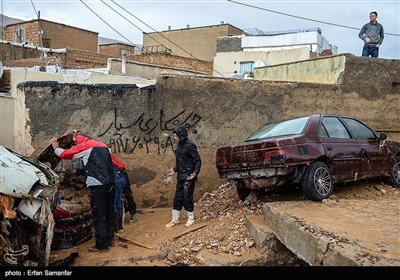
317 182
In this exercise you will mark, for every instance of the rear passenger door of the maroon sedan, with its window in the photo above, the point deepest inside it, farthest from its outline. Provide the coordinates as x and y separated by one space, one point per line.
343 151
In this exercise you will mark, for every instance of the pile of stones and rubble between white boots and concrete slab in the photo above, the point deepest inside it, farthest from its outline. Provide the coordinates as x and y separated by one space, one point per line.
222 228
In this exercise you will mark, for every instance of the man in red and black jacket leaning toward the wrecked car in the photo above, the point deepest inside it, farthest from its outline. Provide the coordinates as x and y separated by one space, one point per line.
98 169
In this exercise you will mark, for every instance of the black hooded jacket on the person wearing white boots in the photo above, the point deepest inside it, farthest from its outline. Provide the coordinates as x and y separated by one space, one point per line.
187 158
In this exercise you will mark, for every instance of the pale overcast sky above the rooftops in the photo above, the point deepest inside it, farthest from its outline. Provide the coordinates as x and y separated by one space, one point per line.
340 21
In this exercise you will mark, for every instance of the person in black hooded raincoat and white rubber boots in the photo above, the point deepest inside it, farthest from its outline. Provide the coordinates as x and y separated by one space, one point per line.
187 167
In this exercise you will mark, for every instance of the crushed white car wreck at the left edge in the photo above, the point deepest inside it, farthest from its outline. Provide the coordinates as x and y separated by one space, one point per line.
28 197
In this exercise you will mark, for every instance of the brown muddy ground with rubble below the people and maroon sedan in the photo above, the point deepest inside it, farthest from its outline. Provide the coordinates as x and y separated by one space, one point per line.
219 236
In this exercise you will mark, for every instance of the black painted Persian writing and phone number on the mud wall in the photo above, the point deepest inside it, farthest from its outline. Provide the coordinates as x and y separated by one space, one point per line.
149 127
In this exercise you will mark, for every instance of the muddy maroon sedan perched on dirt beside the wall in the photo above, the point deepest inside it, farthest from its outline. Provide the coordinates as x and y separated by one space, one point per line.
313 152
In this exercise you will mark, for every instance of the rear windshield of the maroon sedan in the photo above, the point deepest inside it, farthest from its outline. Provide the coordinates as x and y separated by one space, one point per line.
278 129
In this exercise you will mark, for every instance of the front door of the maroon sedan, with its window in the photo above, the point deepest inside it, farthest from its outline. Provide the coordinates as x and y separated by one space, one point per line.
374 158
